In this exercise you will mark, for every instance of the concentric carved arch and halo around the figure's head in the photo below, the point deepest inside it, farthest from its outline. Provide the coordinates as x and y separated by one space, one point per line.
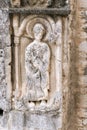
29 22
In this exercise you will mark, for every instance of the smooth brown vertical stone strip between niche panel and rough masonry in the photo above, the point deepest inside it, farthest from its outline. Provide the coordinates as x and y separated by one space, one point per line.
70 76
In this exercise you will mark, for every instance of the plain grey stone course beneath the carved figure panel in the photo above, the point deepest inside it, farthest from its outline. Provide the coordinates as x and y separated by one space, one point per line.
32 121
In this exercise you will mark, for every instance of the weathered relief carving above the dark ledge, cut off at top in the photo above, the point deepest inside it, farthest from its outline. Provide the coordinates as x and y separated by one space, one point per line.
38 3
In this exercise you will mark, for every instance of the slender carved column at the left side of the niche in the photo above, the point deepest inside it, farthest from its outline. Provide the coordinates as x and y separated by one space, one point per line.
16 53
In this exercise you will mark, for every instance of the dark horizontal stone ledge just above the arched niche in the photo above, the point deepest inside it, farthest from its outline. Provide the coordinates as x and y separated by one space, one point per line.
64 11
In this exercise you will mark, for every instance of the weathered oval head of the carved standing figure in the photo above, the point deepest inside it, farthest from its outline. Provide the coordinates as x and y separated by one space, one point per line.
38 31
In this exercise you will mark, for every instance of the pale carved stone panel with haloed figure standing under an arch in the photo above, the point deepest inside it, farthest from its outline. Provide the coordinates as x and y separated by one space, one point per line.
38 63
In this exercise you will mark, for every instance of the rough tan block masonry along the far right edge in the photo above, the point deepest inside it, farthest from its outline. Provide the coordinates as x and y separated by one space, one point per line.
81 92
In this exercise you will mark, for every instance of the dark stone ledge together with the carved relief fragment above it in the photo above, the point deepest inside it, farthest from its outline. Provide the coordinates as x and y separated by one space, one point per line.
56 7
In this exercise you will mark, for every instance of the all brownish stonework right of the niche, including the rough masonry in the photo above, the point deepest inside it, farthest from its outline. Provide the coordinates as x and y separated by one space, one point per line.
76 109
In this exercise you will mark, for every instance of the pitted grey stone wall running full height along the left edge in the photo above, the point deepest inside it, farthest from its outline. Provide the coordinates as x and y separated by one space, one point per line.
5 53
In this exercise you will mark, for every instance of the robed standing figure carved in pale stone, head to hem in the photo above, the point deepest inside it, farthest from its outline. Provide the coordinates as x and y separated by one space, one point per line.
37 61
